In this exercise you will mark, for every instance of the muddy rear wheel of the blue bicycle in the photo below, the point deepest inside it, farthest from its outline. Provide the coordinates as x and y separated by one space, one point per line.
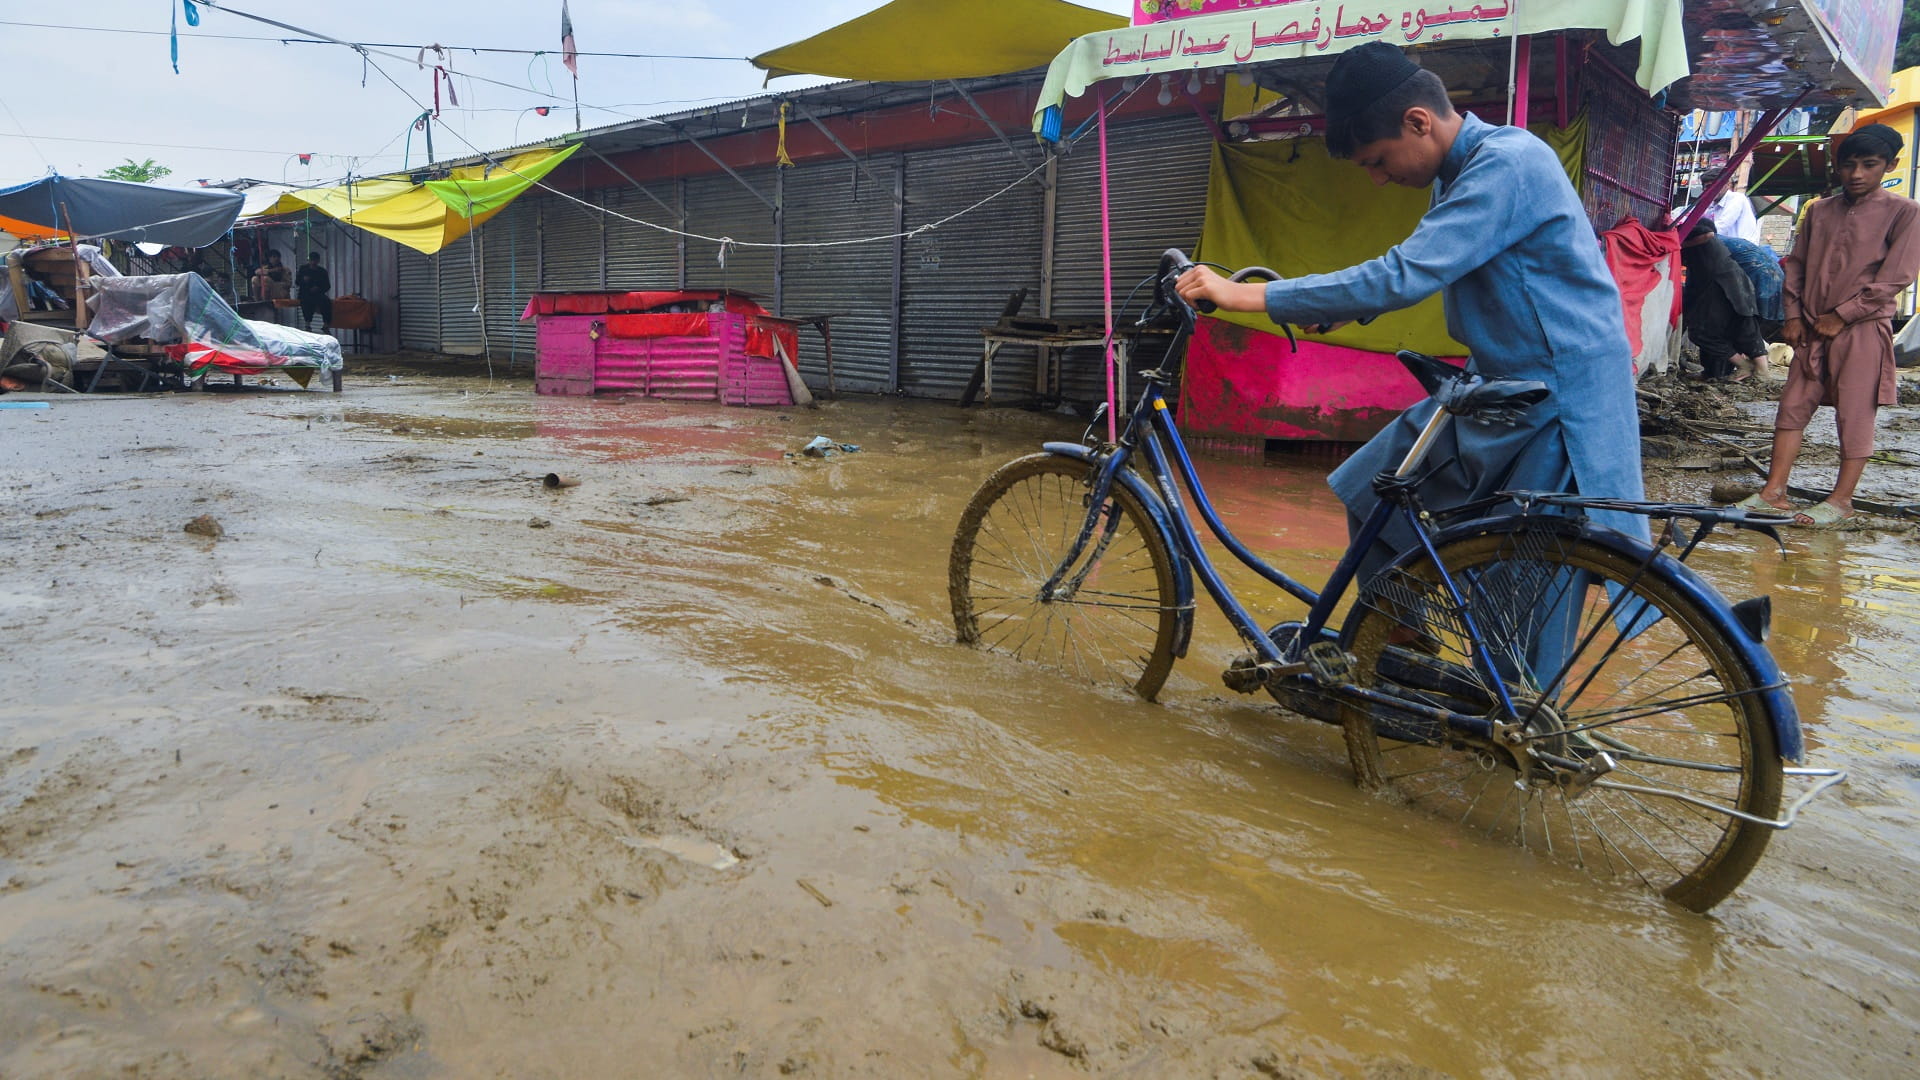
1600 656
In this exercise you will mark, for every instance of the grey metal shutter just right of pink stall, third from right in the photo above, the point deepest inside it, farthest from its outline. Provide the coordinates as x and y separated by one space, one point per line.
834 201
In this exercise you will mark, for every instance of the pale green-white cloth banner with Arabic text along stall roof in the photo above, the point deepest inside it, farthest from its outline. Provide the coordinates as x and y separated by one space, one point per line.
1295 30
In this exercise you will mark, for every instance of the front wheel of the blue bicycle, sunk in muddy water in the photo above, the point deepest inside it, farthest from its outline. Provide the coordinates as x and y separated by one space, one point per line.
1113 620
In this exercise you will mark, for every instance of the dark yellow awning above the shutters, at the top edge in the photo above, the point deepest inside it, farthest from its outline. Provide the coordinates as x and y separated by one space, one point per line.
921 41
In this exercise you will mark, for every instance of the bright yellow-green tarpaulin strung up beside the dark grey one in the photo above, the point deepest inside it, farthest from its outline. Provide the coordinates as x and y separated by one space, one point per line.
433 214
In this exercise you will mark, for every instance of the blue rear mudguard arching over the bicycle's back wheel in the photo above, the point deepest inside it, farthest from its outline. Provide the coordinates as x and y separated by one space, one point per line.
1758 660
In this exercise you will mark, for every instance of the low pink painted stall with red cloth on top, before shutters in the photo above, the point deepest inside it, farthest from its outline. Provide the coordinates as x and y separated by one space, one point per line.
686 347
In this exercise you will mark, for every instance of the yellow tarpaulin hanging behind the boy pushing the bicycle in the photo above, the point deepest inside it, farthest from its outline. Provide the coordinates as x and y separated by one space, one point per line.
1297 210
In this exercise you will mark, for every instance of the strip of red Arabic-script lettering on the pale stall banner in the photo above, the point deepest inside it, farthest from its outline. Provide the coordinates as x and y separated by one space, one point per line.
1301 24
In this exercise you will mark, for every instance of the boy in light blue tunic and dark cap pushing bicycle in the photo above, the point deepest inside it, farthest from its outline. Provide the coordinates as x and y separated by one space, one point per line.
1525 289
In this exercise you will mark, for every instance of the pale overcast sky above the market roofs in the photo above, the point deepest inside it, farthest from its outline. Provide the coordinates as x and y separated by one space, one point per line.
84 101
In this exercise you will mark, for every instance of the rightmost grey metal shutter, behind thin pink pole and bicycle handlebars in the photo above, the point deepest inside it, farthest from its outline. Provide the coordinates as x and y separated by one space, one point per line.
1157 189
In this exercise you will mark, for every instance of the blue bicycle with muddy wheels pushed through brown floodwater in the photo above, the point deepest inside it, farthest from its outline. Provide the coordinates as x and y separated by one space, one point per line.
1520 670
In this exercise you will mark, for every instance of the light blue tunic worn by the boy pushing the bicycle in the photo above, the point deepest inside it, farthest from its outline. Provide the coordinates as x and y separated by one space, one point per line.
1527 291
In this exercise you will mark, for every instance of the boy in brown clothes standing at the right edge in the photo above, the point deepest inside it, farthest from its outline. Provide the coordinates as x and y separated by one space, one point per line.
1854 257
